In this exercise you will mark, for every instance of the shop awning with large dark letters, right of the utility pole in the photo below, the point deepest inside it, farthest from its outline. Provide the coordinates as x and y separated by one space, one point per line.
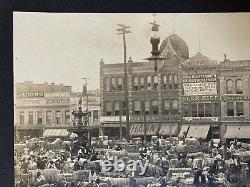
138 129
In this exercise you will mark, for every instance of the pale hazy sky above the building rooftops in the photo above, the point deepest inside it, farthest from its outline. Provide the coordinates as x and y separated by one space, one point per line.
65 47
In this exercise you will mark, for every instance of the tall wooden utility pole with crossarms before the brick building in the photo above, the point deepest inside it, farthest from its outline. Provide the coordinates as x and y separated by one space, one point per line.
123 30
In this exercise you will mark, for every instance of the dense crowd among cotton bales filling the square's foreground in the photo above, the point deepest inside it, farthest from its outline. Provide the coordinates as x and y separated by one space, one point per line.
175 162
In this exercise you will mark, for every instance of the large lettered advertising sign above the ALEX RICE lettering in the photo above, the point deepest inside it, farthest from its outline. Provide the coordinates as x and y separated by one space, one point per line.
200 84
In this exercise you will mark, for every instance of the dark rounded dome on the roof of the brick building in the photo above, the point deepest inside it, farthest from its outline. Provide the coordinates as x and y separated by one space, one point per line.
174 44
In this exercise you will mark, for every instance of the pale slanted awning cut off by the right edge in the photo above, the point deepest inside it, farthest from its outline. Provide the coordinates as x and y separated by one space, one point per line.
236 131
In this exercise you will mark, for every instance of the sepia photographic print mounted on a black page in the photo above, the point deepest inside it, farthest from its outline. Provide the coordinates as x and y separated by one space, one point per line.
131 99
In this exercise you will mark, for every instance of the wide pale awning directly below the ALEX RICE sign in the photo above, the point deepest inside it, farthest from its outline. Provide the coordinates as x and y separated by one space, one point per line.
198 131
